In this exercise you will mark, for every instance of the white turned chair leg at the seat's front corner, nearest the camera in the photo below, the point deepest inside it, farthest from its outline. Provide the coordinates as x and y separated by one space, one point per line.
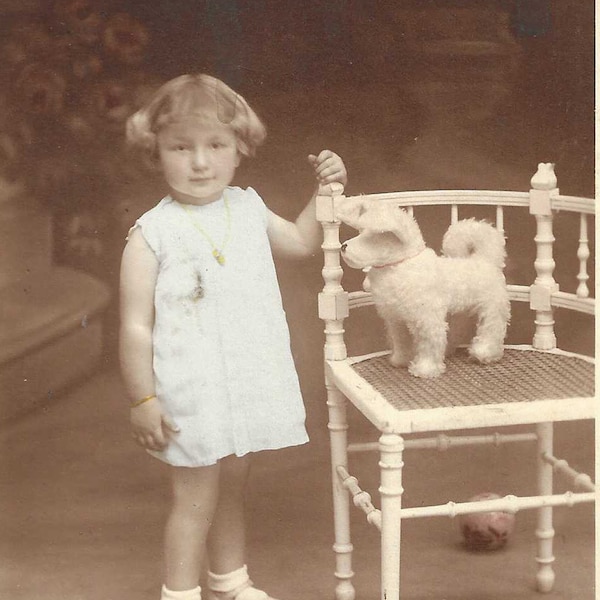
391 447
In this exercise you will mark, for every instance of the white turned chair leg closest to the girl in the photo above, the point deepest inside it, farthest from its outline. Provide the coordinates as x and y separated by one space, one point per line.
338 433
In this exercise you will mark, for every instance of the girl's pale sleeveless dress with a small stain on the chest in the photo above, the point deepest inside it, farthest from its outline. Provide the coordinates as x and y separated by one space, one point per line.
223 367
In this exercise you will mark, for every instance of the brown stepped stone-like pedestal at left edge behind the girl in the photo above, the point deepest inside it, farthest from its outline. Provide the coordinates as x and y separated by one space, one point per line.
50 317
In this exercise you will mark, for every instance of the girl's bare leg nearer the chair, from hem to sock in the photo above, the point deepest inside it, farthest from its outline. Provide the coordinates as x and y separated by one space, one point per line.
227 537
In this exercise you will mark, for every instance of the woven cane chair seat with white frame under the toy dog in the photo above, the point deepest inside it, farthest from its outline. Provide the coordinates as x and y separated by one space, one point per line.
520 387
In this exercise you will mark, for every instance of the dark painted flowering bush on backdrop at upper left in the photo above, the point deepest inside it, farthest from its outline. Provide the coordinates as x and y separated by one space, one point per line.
70 76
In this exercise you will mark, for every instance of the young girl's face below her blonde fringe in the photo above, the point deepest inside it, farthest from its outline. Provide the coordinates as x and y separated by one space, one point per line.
198 158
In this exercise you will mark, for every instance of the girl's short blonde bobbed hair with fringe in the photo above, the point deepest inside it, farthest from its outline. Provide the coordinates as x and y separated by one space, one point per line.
200 95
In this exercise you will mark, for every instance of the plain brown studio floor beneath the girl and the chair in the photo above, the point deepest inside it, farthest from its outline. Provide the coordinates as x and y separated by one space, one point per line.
83 510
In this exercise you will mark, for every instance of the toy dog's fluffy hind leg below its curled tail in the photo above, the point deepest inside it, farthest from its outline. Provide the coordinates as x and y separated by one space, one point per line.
488 344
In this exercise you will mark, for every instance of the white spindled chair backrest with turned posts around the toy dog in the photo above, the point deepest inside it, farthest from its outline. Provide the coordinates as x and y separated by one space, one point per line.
543 202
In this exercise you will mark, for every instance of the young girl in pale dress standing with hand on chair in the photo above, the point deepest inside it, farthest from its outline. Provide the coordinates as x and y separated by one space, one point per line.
204 342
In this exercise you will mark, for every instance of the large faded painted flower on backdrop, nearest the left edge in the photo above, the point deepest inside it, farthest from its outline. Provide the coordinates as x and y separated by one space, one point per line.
40 90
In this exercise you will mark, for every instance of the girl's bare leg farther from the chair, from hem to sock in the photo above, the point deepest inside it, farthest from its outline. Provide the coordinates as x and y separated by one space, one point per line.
195 494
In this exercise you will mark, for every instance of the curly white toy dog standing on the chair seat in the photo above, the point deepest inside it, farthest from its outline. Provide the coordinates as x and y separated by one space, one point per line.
417 292
